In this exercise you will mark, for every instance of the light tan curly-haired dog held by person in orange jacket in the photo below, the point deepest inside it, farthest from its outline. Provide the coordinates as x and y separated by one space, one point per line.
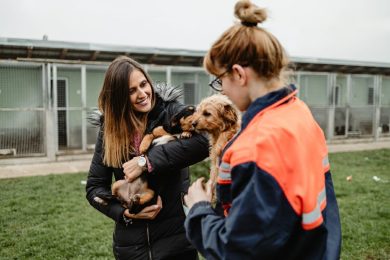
220 118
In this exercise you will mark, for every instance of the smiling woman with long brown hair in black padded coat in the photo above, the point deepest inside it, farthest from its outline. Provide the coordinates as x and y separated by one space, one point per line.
130 107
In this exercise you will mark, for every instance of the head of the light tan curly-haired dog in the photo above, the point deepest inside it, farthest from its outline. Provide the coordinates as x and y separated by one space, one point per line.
216 114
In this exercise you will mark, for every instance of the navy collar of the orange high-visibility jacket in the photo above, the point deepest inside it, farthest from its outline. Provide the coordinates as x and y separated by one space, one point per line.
265 101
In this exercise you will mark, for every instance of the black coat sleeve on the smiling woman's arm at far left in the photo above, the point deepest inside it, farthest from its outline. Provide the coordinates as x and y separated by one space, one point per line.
99 185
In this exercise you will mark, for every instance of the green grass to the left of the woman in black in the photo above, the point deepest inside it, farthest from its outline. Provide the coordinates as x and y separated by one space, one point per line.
48 217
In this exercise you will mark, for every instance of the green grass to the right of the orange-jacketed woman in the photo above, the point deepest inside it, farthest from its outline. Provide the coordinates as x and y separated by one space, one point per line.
364 203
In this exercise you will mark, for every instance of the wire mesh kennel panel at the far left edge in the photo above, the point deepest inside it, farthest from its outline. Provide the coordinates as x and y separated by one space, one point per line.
22 110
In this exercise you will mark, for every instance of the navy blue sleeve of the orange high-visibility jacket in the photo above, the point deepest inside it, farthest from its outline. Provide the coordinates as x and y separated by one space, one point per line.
256 197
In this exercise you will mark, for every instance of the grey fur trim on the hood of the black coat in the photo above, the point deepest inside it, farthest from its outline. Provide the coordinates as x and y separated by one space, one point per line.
162 90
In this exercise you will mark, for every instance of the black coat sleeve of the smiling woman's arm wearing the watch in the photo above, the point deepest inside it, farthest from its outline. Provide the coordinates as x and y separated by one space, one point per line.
180 153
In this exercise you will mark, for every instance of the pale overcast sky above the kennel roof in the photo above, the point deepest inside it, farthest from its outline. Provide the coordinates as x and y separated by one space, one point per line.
333 29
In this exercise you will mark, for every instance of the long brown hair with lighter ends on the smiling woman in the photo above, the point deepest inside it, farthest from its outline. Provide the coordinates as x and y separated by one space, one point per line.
121 122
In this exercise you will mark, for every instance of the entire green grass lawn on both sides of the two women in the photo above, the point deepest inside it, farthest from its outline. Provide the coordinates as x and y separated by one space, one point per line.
48 217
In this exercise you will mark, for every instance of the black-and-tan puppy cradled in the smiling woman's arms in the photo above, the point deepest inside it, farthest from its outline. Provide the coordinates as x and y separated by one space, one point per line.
136 195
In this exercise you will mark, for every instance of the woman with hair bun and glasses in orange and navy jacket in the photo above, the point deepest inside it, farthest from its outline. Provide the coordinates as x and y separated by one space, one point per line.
275 196
